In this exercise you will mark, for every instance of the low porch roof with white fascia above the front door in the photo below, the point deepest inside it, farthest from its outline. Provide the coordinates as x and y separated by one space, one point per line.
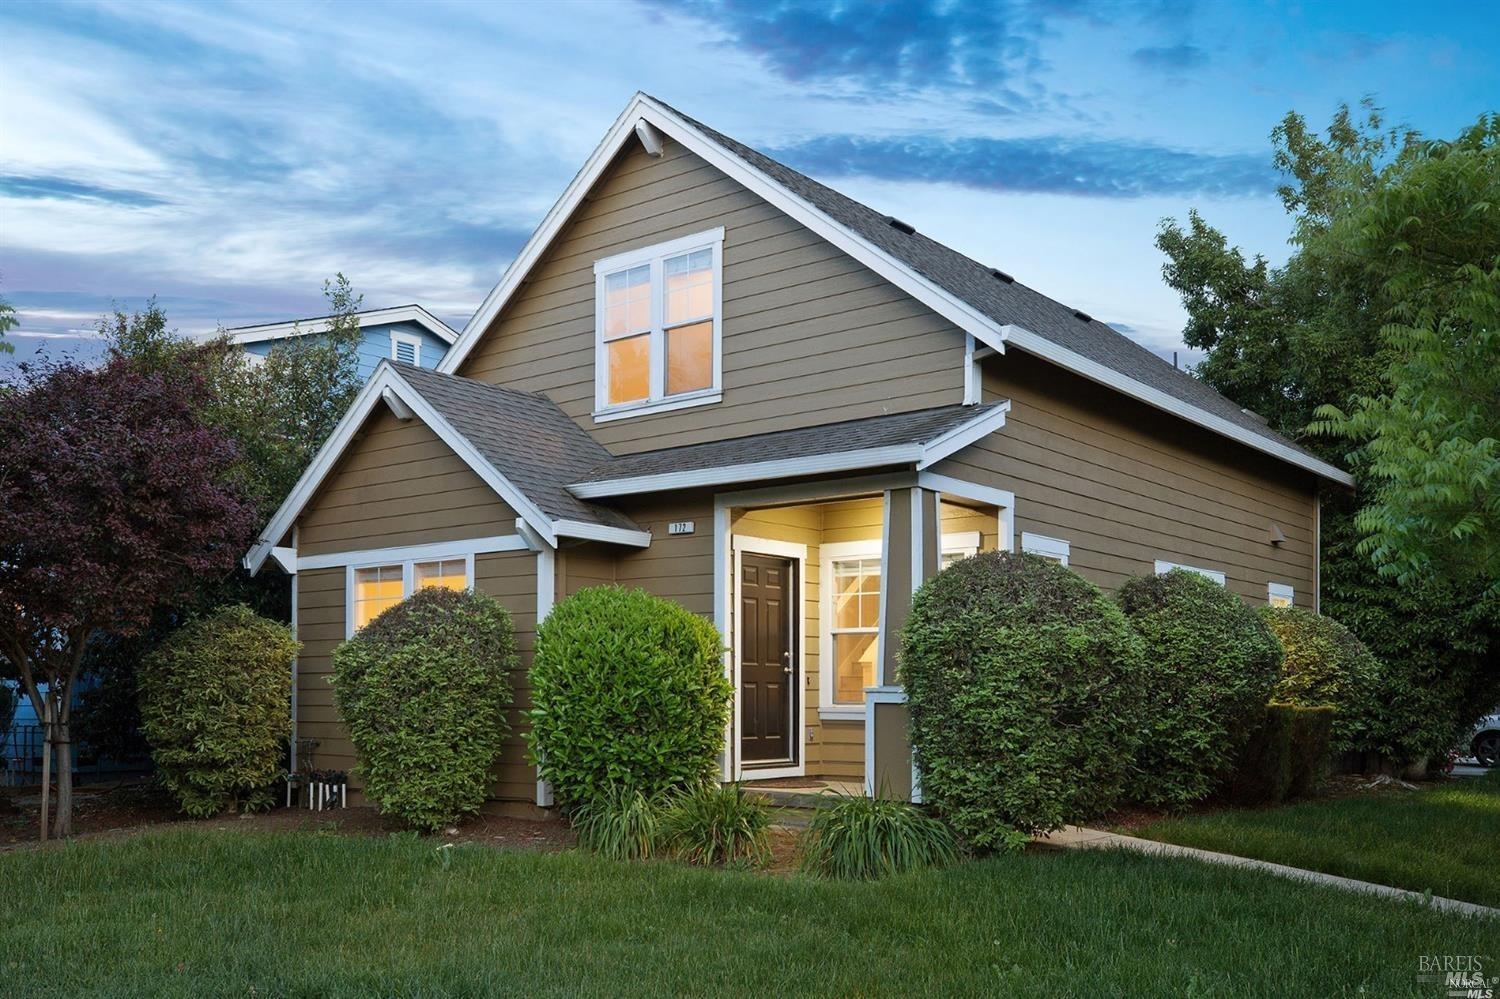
919 439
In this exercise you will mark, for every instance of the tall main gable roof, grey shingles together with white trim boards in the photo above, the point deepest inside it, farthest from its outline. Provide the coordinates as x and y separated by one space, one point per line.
979 301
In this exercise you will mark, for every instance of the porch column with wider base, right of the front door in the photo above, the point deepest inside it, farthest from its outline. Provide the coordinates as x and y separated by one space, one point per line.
910 556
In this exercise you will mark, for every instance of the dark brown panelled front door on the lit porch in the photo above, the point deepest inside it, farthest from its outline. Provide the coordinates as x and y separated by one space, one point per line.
767 661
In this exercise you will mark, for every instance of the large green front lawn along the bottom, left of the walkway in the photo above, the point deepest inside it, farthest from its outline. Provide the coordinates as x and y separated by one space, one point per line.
227 913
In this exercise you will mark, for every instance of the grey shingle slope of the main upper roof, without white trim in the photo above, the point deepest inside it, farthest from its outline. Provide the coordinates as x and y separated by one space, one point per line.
1007 302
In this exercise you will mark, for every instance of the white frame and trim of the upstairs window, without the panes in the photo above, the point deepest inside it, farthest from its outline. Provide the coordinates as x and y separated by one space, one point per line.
655 257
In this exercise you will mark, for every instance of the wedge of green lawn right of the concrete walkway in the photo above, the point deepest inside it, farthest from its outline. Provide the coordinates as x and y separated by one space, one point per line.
1445 841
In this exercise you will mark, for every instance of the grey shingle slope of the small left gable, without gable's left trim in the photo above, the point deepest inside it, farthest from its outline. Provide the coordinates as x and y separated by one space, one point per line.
526 437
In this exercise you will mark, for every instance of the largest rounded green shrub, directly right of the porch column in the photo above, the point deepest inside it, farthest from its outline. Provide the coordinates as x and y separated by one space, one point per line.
1024 682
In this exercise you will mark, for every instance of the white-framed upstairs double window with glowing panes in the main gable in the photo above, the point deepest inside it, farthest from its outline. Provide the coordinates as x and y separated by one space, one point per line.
658 328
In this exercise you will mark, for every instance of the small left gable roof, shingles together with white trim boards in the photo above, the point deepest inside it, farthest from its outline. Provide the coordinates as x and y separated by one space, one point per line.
520 443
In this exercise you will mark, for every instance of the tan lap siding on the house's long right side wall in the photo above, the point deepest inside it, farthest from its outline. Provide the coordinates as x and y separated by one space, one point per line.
1126 485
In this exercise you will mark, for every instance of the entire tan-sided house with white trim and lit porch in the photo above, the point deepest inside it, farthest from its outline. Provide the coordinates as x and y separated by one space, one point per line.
715 379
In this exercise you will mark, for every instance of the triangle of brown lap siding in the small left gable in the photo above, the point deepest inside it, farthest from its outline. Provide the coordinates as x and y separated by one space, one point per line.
400 485
